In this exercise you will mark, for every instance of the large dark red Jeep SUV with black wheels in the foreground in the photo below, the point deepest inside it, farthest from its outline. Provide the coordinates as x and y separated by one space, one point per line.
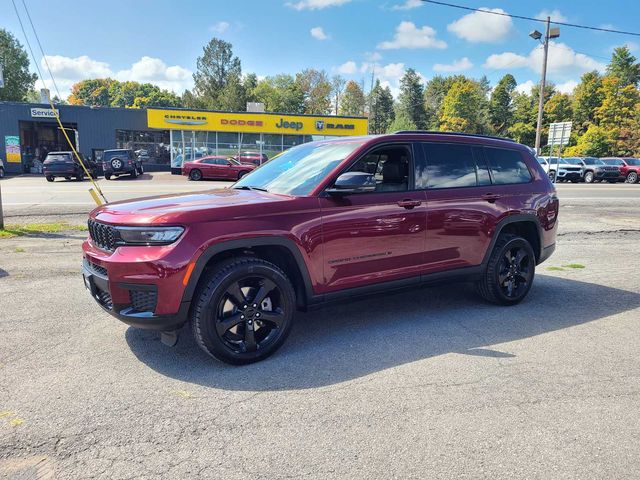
324 221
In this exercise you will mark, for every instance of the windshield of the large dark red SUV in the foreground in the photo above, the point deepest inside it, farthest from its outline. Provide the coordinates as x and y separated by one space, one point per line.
300 169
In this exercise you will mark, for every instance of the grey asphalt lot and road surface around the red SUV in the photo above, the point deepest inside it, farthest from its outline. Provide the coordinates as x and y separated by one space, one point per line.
429 383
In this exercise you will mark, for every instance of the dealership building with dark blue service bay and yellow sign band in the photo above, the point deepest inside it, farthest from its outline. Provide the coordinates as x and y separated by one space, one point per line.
163 138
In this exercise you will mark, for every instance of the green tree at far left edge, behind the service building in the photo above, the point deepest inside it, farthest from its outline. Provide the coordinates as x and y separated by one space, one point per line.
14 63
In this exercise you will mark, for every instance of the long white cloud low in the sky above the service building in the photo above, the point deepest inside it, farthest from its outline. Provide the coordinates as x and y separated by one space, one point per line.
67 71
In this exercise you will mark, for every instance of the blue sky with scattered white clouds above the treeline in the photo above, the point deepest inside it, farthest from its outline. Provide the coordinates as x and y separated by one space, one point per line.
159 41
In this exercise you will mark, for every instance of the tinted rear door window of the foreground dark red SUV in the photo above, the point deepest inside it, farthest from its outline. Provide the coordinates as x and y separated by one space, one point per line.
446 165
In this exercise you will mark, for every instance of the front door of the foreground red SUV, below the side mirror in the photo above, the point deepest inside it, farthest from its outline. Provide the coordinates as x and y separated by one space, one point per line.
377 236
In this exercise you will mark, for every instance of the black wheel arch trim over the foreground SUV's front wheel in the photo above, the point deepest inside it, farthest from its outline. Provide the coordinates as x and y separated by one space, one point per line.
280 251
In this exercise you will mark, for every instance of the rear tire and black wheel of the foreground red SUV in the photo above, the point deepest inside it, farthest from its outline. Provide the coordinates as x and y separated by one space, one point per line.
500 267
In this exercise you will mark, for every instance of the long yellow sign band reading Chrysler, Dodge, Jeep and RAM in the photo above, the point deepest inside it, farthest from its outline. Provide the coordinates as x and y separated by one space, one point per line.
256 123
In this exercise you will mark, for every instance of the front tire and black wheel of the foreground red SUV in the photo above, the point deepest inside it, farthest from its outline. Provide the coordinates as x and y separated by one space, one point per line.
255 337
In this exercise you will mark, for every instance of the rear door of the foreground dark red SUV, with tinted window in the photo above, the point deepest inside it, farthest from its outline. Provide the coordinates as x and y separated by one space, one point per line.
462 204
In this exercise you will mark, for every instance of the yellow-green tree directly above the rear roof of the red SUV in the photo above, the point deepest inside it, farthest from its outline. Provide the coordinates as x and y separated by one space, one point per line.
463 108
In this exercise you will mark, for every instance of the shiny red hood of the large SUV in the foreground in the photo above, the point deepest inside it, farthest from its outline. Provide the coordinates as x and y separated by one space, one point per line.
188 208
